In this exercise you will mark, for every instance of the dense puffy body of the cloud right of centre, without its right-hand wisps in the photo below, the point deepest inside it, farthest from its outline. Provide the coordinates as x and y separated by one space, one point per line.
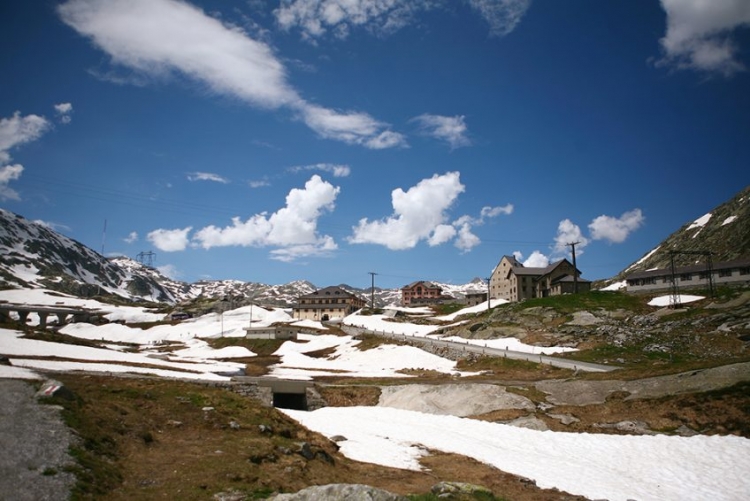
418 213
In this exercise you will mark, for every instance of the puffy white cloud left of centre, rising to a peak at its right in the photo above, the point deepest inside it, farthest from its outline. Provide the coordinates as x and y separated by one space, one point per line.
293 227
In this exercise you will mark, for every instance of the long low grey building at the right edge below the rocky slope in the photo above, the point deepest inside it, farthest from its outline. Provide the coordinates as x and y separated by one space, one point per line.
735 272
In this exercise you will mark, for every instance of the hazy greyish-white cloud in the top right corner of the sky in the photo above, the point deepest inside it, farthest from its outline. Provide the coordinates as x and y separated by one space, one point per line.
698 34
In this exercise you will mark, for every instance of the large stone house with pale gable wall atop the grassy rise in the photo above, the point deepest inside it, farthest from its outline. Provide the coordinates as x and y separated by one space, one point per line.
513 281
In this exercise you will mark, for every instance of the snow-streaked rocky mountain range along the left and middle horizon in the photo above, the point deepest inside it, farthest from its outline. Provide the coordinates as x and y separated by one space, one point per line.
33 255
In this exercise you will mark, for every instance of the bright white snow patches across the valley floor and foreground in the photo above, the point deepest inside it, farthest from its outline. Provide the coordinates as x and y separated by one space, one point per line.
596 466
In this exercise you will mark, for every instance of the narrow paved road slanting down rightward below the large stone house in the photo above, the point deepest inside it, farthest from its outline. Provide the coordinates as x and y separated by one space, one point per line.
473 348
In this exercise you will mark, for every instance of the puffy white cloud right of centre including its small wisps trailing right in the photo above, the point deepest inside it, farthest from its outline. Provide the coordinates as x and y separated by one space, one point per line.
421 213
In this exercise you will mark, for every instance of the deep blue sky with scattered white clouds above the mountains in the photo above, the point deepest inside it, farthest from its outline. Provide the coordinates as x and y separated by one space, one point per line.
322 140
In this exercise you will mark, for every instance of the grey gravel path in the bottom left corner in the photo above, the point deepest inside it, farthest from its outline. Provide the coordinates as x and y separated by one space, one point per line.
34 443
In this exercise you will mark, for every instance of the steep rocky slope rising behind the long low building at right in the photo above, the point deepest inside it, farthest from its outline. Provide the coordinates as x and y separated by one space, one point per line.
724 232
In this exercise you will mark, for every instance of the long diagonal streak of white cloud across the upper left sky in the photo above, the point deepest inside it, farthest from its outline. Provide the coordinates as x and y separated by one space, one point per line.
155 38
